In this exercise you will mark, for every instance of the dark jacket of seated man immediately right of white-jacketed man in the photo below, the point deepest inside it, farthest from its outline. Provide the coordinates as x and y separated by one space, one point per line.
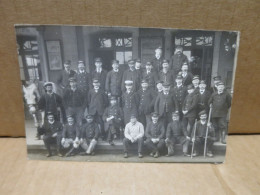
156 130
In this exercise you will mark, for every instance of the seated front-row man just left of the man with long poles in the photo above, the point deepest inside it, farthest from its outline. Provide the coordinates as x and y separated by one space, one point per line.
176 134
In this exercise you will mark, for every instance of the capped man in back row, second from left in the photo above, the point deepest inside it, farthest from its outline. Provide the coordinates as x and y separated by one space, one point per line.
82 78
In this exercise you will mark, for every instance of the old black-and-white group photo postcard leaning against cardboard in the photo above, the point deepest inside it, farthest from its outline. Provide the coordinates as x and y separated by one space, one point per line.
126 94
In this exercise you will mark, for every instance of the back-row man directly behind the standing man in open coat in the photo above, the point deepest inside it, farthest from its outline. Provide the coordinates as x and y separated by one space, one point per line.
166 75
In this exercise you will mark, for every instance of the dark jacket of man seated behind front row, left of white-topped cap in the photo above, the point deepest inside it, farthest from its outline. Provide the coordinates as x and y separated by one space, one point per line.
115 111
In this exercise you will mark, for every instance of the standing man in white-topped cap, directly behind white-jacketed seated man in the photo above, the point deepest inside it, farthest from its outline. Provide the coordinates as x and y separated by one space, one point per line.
129 101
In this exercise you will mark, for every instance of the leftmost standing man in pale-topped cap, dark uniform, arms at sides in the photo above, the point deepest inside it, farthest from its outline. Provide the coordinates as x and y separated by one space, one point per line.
51 102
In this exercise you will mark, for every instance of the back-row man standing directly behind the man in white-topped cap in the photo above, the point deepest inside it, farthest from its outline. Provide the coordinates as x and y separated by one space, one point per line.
132 75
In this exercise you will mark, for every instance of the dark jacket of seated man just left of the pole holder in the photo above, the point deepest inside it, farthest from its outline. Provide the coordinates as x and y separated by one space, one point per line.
175 129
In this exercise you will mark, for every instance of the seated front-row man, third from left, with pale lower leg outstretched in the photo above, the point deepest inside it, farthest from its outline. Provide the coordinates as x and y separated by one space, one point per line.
89 136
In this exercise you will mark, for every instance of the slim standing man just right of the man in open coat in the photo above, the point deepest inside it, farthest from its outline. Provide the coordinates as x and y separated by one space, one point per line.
180 92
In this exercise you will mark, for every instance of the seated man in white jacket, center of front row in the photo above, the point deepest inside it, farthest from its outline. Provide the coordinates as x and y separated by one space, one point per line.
134 132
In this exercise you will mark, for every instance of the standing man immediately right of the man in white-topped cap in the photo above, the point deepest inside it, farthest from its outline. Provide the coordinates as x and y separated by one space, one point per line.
146 98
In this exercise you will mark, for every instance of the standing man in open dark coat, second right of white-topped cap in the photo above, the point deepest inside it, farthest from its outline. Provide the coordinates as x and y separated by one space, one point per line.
165 104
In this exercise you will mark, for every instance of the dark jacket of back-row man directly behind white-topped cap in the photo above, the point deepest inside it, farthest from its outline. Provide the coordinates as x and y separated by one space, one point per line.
133 76
